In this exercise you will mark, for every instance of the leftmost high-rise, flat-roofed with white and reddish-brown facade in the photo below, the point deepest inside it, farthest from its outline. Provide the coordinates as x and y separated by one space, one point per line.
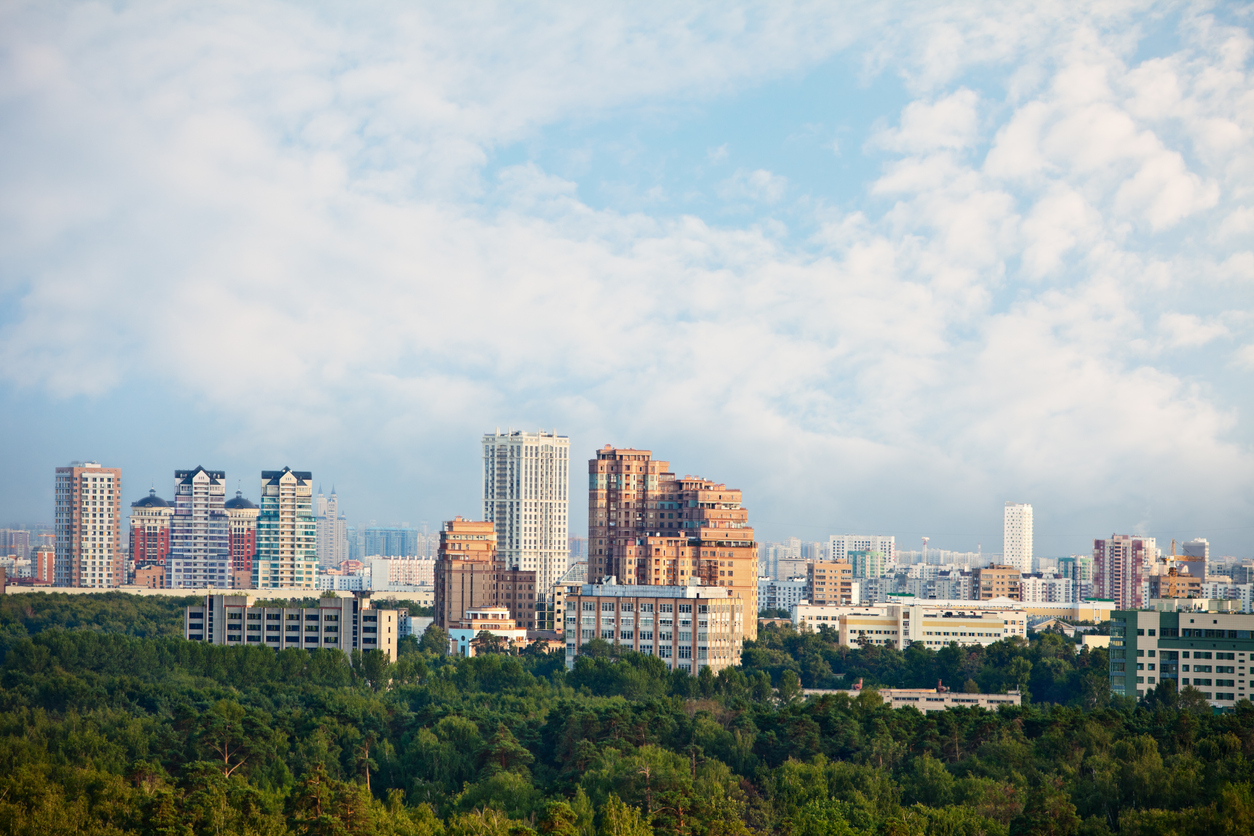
88 526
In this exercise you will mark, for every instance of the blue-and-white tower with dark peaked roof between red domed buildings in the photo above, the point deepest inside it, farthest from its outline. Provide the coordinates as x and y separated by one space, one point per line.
200 533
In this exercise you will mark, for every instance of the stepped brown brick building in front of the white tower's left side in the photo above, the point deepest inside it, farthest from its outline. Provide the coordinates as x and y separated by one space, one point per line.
470 576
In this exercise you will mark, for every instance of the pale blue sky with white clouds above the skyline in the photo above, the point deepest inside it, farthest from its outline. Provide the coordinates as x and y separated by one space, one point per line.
883 268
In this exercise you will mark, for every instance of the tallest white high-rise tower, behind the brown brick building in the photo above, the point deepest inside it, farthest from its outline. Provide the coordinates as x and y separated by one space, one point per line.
526 496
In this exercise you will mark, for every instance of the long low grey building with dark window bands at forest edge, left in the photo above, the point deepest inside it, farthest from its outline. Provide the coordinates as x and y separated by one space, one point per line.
342 625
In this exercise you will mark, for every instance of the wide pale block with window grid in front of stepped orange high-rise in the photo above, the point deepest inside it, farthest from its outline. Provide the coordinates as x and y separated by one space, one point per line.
687 627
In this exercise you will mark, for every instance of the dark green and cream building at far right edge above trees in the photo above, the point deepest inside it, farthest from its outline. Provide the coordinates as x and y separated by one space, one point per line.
1207 651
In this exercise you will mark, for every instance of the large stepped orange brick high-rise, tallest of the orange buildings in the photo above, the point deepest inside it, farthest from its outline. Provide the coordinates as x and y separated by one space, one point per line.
646 527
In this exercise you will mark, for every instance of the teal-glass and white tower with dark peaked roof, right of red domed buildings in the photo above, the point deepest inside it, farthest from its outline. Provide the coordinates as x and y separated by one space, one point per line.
287 533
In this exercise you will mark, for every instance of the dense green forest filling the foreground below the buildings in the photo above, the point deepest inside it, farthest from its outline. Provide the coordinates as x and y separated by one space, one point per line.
112 724
